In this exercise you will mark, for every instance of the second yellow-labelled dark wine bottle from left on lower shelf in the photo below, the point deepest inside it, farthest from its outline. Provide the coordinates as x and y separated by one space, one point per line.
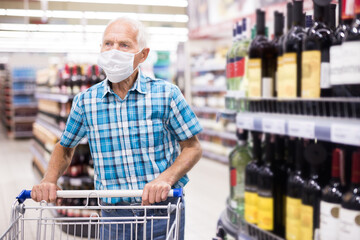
266 187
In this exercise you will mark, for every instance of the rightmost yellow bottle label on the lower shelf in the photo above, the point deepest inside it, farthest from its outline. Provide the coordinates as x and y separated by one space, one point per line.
306 222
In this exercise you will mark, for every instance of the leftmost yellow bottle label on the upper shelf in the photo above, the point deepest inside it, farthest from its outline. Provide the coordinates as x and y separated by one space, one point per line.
254 74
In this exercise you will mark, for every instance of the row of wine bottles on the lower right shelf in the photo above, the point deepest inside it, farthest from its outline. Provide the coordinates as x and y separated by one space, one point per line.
296 188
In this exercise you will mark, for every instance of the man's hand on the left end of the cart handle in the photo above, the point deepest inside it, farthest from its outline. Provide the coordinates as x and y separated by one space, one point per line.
44 191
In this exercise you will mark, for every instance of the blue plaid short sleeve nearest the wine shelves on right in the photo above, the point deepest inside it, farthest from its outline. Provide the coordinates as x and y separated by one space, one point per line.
182 121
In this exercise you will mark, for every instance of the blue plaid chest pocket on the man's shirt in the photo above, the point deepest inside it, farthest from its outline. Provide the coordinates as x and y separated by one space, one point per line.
148 133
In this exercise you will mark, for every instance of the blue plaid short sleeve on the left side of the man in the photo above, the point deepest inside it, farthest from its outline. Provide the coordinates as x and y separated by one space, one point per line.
75 128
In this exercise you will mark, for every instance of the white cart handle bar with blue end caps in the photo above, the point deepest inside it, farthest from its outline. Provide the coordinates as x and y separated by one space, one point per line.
26 194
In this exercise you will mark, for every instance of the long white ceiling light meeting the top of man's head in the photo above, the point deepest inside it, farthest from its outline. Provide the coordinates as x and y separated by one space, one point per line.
151 17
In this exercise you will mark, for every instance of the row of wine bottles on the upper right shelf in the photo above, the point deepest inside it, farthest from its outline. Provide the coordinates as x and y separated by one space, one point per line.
313 59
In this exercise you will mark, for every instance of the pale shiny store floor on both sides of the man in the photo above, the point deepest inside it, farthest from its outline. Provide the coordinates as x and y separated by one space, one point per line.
205 193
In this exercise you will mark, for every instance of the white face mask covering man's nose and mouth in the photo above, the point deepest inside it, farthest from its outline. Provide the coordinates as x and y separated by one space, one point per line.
117 65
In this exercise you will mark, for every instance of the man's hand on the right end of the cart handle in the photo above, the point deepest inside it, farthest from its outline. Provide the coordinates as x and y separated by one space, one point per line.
155 191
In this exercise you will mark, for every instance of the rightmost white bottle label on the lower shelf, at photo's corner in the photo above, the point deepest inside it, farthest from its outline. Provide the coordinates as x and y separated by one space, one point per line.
349 227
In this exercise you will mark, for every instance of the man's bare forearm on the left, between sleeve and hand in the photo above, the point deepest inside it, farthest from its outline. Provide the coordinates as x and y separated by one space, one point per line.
59 162
